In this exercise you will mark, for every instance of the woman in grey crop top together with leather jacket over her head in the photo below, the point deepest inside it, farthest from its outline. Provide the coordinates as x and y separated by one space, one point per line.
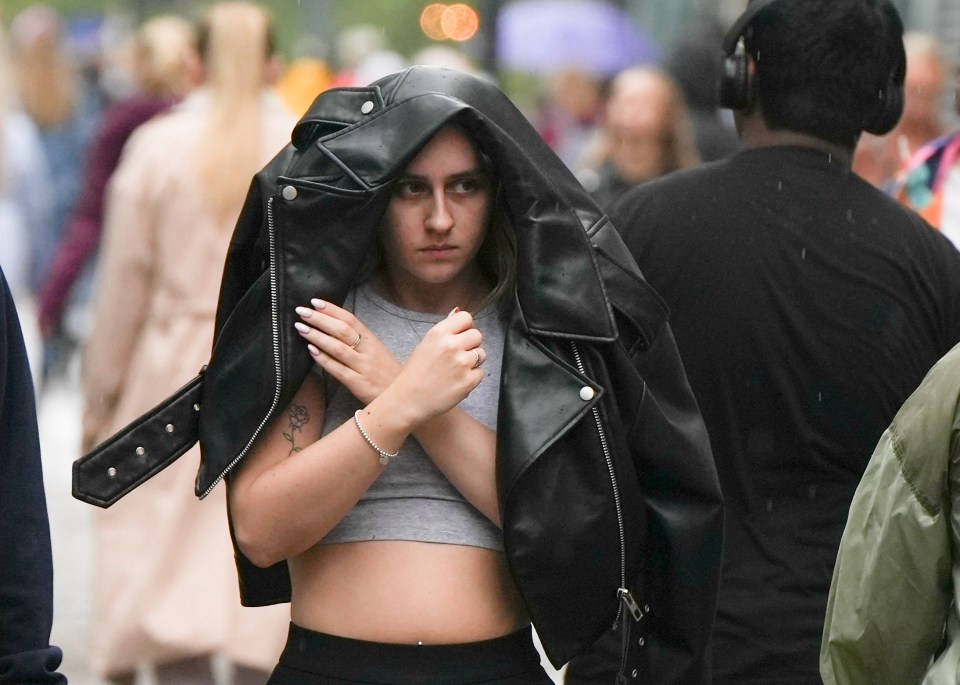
447 407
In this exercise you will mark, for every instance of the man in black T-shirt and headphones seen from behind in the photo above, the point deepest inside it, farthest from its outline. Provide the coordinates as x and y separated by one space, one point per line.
806 305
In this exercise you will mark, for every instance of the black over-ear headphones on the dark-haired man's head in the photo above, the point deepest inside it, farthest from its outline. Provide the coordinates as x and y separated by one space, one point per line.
735 87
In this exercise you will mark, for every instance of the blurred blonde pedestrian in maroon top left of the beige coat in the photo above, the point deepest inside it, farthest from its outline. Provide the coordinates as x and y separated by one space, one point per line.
162 73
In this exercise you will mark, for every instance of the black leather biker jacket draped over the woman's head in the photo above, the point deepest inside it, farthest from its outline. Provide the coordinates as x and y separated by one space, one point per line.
610 503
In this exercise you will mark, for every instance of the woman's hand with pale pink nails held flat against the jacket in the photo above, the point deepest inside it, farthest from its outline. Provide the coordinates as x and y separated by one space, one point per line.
346 349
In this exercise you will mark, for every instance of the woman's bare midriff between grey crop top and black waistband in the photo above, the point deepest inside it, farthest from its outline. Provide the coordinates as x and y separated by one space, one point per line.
405 592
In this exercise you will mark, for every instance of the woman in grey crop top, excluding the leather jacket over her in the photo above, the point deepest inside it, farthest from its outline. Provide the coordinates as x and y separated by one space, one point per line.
411 367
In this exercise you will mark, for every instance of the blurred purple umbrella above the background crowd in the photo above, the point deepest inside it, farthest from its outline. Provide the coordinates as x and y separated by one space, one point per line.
541 36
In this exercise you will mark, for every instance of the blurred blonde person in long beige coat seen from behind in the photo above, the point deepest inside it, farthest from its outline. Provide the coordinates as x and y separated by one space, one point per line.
165 583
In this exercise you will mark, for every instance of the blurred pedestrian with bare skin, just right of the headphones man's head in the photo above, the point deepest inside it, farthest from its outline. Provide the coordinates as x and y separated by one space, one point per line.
879 158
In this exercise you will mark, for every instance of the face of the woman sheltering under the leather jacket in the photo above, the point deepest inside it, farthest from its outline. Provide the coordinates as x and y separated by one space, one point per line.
437 218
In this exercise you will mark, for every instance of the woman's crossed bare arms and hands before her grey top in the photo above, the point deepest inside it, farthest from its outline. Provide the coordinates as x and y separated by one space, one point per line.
296 484
